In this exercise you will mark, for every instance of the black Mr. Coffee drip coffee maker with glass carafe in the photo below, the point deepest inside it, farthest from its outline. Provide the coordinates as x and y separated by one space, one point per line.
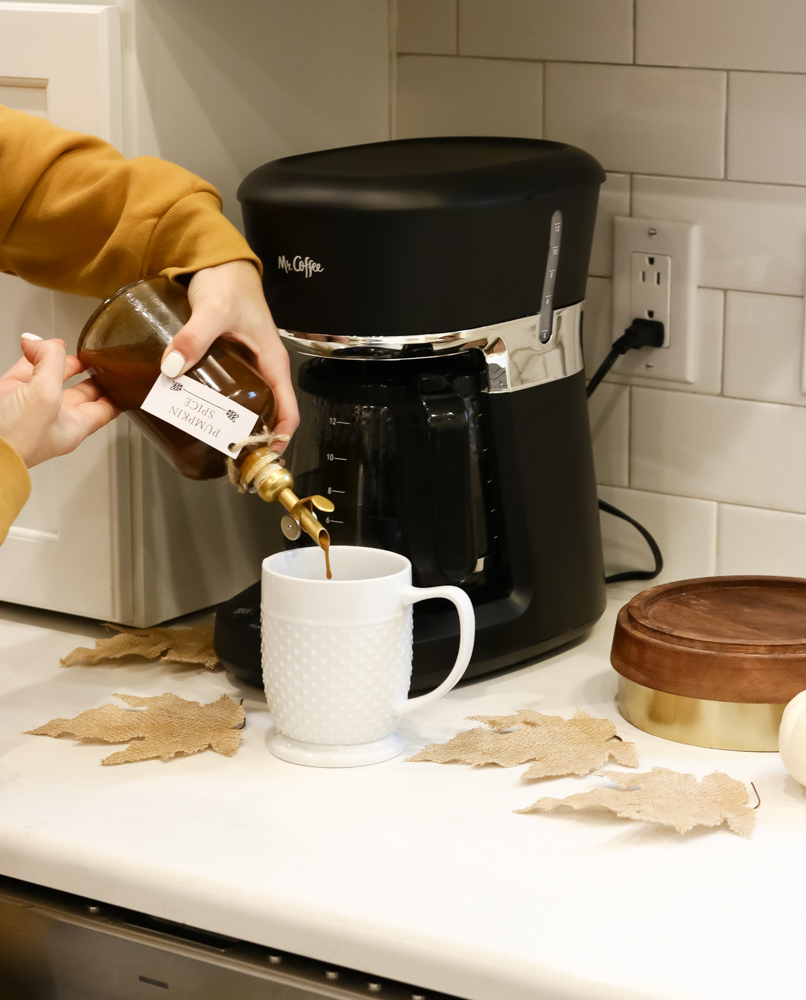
430 293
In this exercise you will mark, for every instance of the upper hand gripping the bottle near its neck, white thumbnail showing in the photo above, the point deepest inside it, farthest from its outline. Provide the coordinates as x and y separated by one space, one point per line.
227 301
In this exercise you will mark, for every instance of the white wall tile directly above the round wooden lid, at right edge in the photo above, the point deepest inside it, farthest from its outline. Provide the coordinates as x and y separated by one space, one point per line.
761 541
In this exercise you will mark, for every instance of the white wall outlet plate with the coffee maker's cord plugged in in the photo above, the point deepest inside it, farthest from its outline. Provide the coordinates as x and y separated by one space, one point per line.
655 276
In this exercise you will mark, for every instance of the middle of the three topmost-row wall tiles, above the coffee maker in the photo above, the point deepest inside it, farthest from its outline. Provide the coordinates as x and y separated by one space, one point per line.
586 30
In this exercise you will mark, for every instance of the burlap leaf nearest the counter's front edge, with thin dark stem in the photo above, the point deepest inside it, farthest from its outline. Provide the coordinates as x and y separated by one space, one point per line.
666 797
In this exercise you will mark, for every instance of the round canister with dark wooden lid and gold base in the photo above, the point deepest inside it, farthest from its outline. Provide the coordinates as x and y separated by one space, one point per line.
712 661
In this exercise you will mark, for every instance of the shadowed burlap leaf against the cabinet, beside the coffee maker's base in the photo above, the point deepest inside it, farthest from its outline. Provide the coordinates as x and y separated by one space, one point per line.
173 645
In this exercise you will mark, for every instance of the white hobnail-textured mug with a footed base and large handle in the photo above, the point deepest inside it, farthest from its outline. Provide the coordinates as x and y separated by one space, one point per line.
337 653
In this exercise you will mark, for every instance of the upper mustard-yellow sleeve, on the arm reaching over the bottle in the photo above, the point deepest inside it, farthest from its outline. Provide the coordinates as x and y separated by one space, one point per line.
78 217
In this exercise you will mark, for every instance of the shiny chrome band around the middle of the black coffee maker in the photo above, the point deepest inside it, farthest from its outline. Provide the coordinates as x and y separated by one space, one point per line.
515 356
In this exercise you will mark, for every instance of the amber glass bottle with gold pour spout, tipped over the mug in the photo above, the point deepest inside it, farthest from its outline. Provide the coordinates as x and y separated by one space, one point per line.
122 346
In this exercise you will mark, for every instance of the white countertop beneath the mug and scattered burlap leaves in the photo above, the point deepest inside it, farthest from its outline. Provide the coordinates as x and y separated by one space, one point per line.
417 872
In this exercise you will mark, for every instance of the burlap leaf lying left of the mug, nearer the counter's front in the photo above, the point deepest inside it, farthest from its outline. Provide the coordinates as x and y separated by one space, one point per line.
168 726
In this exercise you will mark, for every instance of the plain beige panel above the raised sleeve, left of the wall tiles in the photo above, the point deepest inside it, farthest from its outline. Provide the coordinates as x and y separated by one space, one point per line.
222 87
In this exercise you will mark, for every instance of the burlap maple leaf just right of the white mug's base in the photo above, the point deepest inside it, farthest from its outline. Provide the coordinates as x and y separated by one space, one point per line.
557 746
